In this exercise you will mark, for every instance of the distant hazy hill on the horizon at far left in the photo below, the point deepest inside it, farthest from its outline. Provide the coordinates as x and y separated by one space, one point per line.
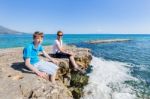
4 30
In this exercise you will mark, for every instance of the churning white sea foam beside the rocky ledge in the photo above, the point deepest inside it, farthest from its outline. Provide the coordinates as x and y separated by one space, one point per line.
107 81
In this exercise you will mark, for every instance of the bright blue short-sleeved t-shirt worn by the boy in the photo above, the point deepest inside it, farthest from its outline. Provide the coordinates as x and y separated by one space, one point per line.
31 52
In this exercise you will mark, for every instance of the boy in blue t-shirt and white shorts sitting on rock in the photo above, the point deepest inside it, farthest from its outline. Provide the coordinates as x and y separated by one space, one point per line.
40 67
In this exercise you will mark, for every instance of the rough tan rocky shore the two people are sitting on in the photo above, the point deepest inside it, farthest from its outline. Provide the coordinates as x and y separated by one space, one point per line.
17 82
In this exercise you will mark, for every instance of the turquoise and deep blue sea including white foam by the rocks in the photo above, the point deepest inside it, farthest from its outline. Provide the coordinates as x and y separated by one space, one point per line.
121 70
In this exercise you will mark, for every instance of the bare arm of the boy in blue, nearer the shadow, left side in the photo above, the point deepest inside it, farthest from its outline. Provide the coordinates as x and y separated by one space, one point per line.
31 67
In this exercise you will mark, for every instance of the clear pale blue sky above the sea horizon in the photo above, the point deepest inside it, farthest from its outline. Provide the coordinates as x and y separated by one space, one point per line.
77 16
